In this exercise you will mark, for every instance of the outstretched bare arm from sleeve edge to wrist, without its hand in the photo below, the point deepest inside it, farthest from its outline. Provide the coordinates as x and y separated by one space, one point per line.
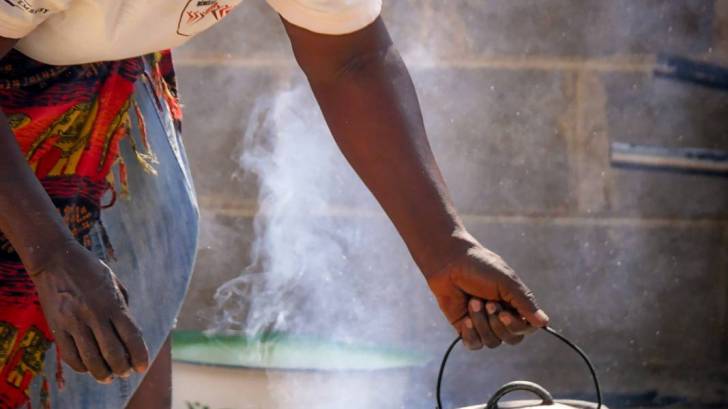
372 110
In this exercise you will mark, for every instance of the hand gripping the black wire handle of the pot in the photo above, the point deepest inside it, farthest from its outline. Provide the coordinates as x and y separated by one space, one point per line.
486 302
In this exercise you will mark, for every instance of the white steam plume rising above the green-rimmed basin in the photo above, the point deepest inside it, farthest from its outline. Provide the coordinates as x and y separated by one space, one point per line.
301 258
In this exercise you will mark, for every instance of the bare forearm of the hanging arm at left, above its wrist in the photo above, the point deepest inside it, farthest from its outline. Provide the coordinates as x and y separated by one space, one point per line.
28 217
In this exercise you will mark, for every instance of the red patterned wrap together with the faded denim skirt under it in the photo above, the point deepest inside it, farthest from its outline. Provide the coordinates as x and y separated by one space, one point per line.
104 140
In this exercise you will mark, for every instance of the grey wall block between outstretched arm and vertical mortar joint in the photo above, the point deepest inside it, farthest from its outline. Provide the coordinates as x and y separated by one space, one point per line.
499 137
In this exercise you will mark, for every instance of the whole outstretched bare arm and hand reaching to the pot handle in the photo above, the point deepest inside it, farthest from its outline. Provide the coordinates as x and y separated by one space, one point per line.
369 102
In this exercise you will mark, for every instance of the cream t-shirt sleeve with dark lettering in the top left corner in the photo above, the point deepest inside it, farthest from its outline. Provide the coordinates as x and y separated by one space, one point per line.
20 17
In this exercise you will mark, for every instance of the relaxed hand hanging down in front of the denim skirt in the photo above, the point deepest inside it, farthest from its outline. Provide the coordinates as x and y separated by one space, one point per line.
86 308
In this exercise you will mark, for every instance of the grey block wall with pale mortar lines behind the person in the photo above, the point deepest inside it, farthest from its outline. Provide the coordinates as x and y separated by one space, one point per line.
522 99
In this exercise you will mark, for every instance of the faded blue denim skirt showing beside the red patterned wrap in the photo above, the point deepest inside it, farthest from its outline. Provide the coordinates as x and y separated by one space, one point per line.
154 234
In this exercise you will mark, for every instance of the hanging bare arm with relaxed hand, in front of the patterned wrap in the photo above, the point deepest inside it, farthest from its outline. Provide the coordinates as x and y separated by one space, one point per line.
80 296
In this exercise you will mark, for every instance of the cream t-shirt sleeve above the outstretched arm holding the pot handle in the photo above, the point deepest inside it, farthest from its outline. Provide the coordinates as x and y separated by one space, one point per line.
328 16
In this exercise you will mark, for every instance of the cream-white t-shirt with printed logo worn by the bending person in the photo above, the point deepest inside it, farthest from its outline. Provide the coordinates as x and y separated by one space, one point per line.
63 32
